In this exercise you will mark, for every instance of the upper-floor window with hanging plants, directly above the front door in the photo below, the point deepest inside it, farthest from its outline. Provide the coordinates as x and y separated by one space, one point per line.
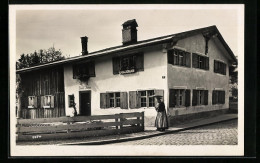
84 70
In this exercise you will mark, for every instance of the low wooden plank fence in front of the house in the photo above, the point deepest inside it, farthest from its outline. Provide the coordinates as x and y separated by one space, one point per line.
79 126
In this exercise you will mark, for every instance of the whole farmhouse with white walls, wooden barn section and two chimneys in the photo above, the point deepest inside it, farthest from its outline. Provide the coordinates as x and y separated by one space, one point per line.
189 69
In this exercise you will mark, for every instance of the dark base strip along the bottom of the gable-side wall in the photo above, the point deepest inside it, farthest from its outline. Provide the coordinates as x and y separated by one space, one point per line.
186 118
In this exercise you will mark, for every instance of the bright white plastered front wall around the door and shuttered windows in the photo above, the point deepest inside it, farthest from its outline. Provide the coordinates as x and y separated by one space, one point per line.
151 78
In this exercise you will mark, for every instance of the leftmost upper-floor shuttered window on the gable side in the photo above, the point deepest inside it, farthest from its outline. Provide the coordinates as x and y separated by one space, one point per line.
179 57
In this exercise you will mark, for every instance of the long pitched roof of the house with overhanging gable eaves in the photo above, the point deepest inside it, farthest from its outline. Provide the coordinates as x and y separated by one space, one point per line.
139 44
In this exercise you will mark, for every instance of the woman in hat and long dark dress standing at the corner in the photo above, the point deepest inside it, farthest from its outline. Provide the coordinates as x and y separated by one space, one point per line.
161 121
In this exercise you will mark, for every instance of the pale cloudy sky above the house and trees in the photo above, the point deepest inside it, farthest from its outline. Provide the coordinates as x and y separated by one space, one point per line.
42 29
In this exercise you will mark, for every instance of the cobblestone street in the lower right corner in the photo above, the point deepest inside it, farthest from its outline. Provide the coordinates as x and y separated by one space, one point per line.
224 133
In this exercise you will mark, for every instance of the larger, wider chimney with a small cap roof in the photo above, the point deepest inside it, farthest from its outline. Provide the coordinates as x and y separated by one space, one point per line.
129 32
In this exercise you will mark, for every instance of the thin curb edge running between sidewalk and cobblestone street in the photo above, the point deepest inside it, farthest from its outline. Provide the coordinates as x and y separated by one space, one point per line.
112 141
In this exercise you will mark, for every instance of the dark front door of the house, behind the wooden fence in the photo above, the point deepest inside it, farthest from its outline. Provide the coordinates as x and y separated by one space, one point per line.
85 103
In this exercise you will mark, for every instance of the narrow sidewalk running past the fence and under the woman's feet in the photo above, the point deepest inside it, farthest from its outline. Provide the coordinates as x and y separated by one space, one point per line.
151 131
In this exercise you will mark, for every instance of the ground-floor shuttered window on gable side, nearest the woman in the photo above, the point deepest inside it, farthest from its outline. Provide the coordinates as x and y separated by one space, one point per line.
179 98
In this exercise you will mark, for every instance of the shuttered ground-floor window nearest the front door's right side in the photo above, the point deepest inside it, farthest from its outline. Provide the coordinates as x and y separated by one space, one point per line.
113 100
